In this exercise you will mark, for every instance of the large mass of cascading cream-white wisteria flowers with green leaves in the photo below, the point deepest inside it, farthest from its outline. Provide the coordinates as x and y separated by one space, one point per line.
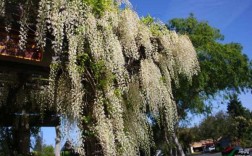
110 68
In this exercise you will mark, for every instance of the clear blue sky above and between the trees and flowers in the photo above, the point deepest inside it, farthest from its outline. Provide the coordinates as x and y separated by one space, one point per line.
232 17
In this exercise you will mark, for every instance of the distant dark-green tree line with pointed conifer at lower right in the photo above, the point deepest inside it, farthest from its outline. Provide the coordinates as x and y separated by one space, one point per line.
235 124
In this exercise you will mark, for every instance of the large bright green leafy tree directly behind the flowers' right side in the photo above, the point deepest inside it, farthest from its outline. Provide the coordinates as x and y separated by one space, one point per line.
214 58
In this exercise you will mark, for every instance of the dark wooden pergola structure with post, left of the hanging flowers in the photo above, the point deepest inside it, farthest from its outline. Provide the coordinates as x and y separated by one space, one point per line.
30 67
